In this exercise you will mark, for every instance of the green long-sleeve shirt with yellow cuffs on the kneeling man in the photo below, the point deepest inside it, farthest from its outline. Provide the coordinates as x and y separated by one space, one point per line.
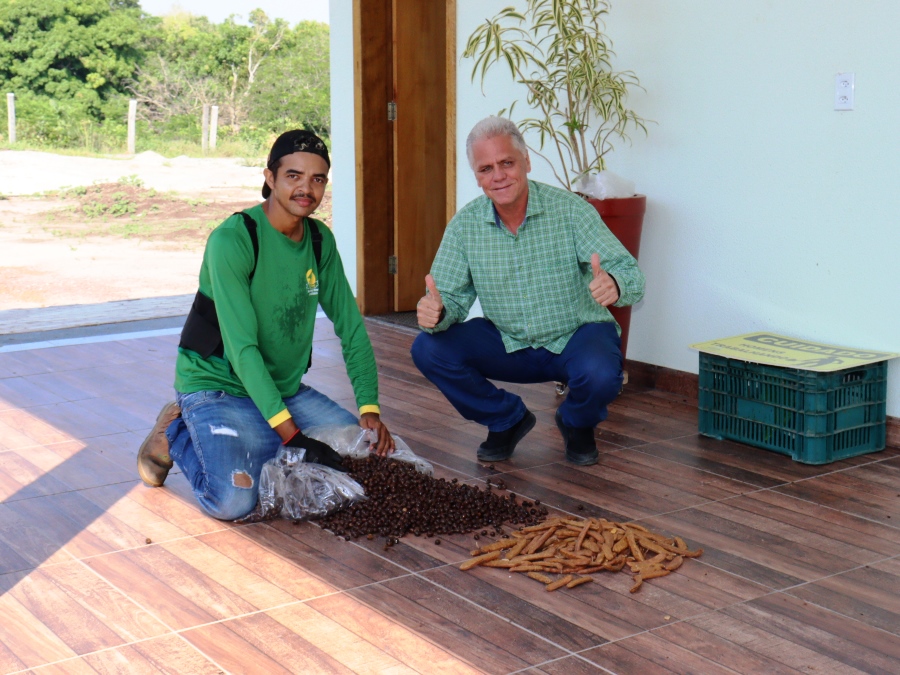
267 325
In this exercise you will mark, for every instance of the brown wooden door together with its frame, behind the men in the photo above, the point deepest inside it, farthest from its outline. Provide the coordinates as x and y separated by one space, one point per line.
404 55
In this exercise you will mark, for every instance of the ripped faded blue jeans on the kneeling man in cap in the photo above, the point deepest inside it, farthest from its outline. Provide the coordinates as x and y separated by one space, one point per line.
220 442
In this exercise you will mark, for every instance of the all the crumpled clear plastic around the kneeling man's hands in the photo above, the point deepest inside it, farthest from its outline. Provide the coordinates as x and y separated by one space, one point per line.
297 490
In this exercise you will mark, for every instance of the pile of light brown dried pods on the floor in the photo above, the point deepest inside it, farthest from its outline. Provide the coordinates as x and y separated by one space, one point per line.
571 549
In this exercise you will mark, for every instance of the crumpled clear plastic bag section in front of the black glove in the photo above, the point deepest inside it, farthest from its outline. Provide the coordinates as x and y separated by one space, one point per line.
297 490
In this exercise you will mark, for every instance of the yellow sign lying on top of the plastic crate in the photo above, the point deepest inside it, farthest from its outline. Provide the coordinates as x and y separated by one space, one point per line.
778 350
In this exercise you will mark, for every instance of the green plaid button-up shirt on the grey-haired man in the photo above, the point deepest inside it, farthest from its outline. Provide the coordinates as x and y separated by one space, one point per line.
532 285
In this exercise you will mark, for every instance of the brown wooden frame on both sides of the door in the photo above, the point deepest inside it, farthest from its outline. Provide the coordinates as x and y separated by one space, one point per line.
372 91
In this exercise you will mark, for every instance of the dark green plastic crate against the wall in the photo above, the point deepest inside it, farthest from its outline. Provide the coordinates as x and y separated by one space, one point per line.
816 418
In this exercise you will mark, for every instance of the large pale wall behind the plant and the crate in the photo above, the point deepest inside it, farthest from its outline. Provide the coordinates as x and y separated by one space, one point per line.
767 210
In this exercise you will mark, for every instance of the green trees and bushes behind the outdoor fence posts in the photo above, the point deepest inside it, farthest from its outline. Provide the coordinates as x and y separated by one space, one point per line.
73 65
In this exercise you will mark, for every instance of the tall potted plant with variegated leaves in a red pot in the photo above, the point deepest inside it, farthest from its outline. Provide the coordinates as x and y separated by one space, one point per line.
559 51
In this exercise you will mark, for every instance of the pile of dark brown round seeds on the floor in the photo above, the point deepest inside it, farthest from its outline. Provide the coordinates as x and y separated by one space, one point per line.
400 500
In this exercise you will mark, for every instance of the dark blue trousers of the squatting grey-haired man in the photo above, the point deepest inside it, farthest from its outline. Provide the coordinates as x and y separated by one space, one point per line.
461 360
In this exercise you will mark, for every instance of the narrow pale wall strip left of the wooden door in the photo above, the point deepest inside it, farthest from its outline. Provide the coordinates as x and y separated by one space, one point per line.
343 149
